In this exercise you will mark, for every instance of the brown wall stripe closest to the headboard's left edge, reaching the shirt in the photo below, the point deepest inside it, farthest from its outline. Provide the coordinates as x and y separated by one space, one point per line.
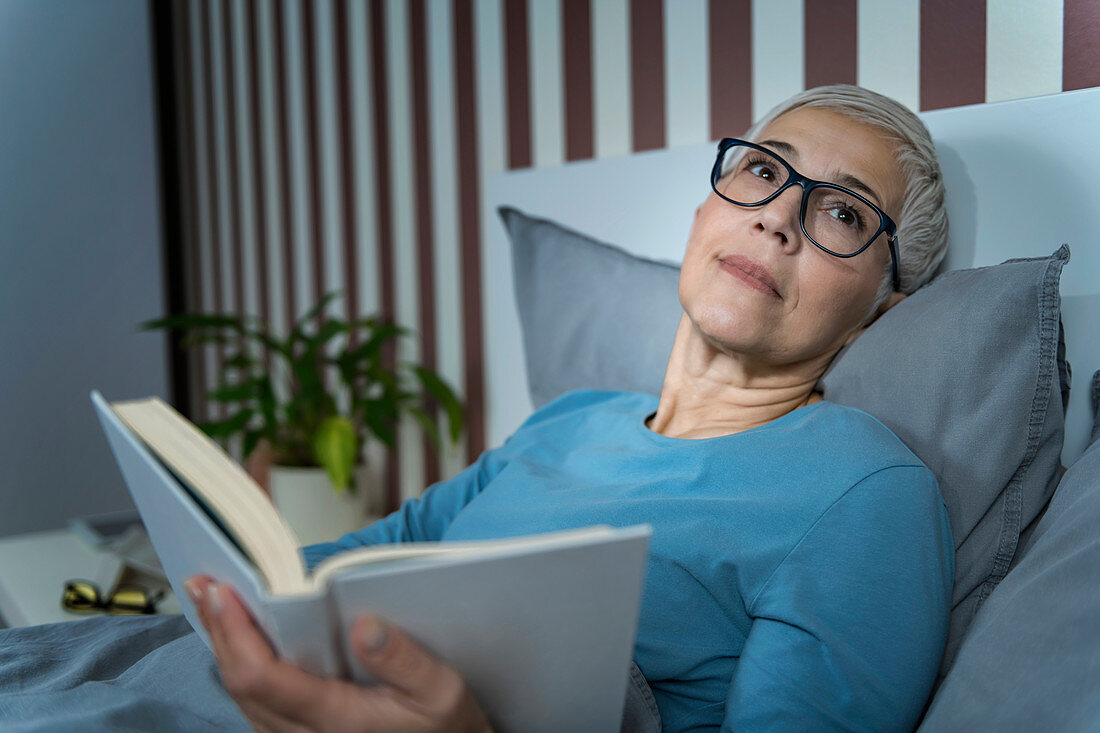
469 178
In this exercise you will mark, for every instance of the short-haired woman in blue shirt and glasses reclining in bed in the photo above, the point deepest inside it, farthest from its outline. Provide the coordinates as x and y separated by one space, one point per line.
802 561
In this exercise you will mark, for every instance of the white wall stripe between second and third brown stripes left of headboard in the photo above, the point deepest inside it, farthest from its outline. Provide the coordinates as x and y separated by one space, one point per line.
405 264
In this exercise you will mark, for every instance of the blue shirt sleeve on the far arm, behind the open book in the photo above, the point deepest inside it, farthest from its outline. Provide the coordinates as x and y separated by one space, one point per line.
424 519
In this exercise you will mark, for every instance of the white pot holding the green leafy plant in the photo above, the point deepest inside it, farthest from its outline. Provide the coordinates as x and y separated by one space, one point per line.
315 511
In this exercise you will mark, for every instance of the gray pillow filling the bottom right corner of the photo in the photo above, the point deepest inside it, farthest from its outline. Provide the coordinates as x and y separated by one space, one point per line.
1031 661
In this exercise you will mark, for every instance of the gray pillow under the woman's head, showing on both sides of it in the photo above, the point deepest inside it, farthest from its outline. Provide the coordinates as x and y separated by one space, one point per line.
970 373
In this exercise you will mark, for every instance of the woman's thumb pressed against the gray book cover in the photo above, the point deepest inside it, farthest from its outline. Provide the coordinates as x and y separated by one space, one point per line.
395 660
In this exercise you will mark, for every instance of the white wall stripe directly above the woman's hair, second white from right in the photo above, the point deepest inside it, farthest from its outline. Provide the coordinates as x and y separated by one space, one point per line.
888 49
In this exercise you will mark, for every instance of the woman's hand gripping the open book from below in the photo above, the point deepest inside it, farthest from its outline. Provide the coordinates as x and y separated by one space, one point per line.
415 691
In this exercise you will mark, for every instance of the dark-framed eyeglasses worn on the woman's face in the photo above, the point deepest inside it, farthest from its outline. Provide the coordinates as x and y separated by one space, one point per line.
834 218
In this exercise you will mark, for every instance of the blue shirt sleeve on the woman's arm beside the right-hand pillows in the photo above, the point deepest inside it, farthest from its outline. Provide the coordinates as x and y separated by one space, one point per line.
849 631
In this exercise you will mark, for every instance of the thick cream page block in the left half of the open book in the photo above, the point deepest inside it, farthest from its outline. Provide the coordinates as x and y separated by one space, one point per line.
224 489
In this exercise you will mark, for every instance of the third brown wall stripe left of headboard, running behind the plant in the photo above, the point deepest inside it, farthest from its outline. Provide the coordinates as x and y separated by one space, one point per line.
383 181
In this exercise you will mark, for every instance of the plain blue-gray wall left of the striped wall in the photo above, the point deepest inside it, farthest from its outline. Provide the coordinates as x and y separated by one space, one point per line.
80 249
